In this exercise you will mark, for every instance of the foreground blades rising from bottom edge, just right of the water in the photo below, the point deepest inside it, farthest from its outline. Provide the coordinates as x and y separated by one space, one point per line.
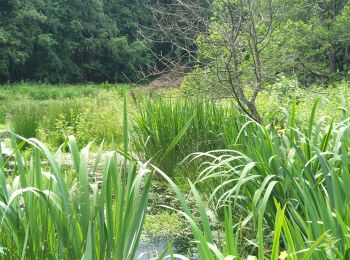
229 246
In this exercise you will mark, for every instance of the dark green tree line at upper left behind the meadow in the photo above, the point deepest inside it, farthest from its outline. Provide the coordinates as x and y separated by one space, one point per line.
72 40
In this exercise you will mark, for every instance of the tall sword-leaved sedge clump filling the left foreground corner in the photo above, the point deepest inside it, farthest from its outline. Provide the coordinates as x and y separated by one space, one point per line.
52 213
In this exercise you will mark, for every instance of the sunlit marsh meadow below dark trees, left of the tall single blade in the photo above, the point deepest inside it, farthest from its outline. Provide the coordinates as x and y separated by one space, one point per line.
84 111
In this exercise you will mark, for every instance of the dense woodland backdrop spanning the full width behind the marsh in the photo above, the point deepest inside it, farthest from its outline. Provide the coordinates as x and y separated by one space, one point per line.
109 41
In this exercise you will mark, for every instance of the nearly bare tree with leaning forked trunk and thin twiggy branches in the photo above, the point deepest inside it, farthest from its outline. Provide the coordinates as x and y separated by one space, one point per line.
235 33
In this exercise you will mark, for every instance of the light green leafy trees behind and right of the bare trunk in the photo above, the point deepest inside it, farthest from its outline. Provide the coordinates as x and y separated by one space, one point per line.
285 52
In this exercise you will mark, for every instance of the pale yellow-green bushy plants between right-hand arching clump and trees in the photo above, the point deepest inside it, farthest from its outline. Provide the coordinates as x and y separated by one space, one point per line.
333 102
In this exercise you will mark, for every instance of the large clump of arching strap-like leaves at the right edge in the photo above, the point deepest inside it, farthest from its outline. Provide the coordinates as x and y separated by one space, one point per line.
307 170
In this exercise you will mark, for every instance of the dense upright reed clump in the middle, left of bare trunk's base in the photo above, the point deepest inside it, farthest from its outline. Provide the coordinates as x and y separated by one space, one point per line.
166 131
